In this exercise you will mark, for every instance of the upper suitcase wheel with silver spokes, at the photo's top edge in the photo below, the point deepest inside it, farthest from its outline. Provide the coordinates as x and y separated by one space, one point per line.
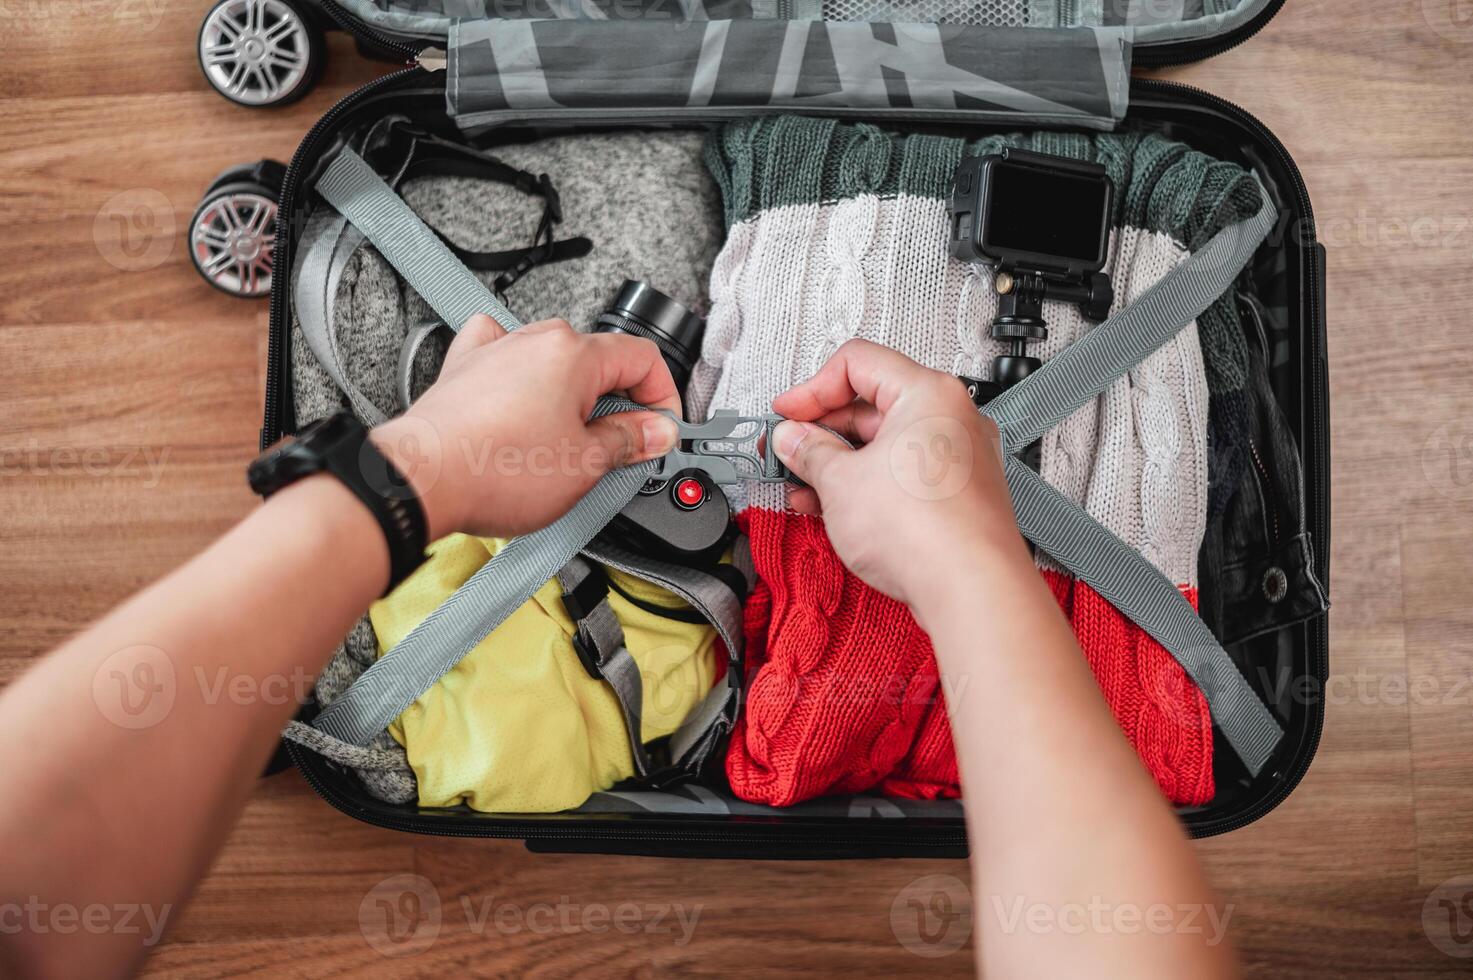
261 52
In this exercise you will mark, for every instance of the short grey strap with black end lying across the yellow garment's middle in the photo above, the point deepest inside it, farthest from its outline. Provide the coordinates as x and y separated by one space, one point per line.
600 643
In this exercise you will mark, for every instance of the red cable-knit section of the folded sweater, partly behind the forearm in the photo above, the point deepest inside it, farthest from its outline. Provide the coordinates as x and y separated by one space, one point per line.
845 695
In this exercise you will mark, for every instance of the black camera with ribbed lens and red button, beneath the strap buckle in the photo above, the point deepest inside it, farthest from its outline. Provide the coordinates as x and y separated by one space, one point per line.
686 518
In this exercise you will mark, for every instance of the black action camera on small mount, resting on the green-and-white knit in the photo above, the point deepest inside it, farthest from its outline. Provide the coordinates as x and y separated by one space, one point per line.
1042 223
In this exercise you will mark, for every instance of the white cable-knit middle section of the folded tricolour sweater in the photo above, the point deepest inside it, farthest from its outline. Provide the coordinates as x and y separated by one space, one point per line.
798 282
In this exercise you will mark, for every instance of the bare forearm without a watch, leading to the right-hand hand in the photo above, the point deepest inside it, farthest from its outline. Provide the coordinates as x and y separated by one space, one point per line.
1061 814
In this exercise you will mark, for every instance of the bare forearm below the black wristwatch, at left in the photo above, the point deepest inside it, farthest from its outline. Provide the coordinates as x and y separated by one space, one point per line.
135 745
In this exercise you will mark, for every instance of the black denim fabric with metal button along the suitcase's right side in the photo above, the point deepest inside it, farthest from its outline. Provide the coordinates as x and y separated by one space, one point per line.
1257 562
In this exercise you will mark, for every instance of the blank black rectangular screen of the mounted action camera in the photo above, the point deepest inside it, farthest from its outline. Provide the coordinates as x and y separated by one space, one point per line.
1030 210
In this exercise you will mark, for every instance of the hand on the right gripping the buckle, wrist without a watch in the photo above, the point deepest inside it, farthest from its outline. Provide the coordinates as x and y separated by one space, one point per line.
926 489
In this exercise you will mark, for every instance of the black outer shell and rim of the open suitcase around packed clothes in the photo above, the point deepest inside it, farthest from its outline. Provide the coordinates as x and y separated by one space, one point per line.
1288 667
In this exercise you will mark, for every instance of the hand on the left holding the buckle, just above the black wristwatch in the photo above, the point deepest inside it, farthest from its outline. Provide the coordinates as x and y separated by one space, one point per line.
502 443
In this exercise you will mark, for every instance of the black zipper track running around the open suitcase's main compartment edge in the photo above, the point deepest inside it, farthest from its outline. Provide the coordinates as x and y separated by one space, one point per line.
948 839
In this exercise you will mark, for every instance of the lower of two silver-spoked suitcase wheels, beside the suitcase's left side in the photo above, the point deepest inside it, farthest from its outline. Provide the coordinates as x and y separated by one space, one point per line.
232 235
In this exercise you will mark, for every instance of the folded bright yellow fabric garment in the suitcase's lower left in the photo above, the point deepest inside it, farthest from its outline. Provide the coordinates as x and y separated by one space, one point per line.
519 726
